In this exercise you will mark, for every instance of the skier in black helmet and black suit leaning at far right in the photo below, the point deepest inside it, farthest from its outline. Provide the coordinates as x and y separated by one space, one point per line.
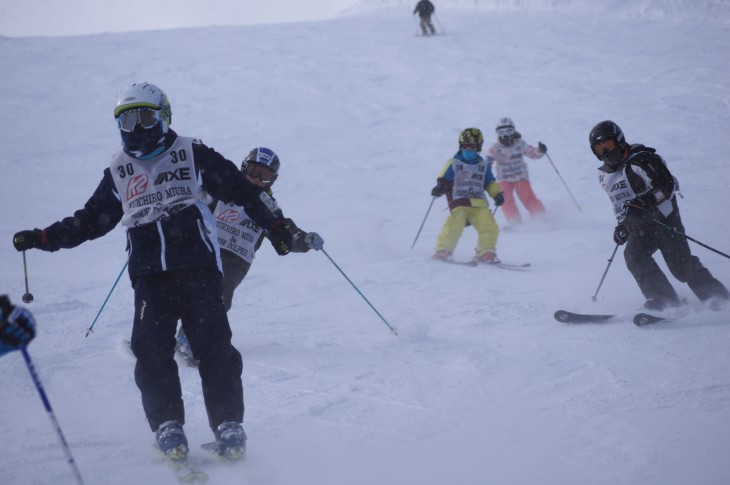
642 191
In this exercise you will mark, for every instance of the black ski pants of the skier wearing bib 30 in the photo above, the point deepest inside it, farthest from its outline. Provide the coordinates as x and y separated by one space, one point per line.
194 297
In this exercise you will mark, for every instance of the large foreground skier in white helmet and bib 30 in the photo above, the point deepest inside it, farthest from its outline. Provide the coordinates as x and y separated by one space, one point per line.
157 187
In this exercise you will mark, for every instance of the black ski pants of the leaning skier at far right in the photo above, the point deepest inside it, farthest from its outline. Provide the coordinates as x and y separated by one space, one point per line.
645 238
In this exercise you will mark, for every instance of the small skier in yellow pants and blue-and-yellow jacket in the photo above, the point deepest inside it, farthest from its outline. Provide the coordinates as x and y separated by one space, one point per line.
464 180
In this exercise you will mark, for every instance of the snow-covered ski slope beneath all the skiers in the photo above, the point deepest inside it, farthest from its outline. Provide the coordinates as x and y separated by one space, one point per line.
481 385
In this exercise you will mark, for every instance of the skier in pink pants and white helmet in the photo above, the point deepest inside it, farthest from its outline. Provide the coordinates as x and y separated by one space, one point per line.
507 156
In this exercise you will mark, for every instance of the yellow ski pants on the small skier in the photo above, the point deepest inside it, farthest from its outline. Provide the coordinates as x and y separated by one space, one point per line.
479 217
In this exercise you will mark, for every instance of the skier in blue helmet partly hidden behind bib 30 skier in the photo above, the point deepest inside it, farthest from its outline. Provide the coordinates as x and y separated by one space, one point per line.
240 237
